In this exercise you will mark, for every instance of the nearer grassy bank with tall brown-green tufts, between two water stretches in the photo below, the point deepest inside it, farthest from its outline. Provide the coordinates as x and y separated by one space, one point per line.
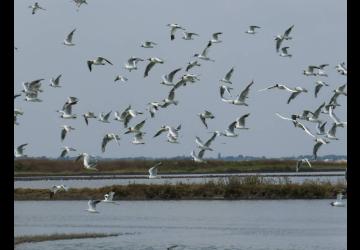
231 188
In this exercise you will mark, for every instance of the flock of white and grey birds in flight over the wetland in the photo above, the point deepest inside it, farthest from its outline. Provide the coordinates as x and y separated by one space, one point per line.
32 89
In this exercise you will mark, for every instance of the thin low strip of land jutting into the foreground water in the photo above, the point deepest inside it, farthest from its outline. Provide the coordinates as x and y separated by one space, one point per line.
40 238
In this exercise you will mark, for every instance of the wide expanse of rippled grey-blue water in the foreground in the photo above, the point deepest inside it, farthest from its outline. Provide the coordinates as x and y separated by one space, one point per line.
273 224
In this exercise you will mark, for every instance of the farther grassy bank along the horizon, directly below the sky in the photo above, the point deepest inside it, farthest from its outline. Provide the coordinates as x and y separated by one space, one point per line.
32 167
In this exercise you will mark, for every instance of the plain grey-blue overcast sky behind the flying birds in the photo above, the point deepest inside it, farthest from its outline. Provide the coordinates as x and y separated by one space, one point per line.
115 29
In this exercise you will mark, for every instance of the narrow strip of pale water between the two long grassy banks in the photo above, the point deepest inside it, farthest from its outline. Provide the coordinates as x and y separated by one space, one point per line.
96 183
